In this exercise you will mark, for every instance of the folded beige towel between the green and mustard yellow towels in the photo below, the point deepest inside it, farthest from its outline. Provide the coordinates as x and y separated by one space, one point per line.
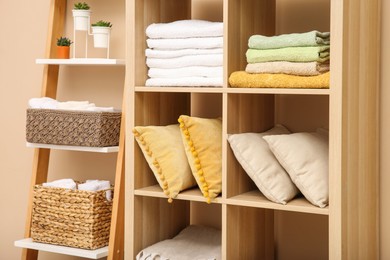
286 67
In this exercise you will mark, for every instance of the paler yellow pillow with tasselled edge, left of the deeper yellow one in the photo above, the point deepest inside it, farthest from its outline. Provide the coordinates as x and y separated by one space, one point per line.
164 152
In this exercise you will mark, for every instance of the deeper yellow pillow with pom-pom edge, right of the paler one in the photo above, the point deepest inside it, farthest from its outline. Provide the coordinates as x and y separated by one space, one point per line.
202 139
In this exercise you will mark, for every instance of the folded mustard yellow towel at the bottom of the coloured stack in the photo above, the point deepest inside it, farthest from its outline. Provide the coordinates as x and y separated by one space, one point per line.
242 79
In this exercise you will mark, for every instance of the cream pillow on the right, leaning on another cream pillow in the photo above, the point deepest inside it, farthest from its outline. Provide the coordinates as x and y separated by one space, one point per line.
305 158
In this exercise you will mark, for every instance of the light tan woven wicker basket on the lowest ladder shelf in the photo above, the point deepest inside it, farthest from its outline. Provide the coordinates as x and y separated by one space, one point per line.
73 218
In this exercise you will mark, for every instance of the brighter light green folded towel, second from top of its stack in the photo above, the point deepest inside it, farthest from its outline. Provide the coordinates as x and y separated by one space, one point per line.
294 54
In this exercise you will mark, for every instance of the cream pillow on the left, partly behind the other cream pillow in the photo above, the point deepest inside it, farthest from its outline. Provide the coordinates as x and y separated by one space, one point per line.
255 157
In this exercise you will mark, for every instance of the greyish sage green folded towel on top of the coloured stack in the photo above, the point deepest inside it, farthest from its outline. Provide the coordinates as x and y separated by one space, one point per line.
313 38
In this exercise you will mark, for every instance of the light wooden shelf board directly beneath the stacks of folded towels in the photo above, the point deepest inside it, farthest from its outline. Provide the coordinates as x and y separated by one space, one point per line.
290 91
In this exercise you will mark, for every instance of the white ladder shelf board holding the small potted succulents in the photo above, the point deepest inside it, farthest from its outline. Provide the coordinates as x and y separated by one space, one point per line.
81 61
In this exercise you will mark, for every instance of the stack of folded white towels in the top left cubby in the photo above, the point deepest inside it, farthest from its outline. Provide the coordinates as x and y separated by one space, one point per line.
185 53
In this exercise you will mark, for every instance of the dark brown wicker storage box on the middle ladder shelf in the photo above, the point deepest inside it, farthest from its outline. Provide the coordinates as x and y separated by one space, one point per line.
79 128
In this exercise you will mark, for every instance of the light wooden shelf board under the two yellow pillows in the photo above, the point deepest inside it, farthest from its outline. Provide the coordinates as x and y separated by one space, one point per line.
191 194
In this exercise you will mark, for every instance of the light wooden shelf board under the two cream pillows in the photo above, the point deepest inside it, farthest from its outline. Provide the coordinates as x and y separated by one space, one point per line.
256 199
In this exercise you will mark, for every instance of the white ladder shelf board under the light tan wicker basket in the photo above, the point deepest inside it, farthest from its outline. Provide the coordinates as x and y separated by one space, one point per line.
92 254
